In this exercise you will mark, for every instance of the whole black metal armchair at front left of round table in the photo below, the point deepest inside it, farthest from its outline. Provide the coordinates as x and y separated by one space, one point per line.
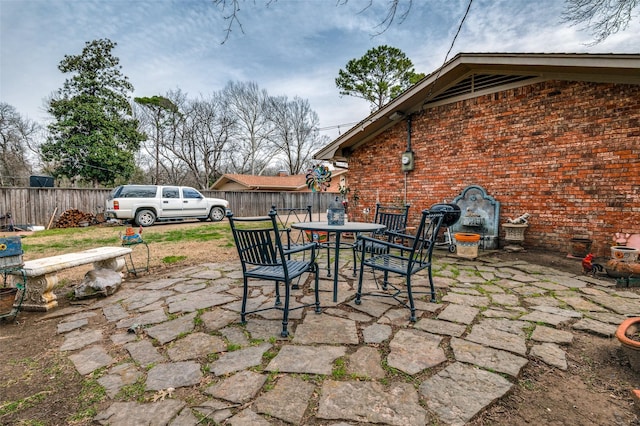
263 257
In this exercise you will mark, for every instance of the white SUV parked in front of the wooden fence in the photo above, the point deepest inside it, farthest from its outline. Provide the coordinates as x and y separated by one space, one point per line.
145 204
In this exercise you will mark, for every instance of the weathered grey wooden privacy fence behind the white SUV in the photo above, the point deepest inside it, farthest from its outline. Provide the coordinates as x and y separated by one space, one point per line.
37 206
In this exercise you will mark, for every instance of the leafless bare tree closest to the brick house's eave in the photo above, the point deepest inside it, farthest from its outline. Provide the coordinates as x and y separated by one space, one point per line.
295 132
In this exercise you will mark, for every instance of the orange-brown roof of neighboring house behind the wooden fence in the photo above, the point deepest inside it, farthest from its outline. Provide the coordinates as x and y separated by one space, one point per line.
272 183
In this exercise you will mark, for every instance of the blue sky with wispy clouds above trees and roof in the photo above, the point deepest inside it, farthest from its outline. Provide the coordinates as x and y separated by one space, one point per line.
289 47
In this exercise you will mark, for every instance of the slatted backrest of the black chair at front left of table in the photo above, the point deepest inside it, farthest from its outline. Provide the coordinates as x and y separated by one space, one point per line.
257 240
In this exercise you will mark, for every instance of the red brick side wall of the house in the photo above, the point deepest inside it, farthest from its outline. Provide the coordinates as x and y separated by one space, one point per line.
568 153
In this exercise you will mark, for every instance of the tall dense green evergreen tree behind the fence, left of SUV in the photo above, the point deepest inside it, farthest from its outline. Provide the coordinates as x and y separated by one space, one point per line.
94 137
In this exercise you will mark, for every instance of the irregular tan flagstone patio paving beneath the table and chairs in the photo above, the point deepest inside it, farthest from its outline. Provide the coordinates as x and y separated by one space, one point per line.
179 338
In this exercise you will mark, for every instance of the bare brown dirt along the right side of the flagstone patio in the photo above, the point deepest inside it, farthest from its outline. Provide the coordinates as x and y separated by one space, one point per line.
595 389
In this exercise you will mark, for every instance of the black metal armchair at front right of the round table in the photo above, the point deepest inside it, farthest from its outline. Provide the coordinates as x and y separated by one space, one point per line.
401 259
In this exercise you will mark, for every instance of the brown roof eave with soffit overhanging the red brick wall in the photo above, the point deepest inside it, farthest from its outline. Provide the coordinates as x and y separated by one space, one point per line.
474 74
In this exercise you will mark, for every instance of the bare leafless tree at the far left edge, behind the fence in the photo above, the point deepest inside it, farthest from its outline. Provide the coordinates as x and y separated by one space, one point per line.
17 137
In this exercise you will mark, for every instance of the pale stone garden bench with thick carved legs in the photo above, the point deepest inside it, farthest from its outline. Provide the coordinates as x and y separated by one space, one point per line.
41 273
